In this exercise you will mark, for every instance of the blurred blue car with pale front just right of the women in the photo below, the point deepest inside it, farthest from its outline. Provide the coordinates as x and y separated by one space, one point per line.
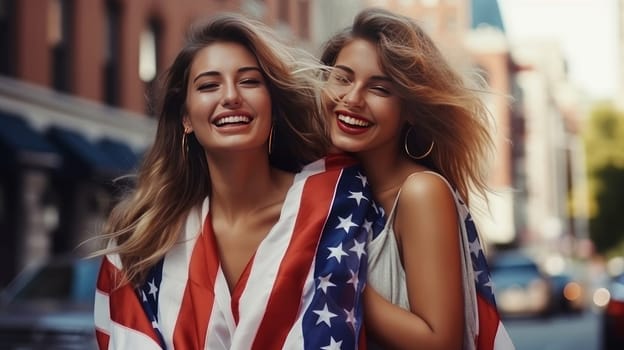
521 288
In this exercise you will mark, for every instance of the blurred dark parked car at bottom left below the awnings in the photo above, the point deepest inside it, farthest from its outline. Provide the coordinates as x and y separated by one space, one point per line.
50 306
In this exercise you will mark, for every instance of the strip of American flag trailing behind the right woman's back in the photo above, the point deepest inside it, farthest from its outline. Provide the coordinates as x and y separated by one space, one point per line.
490 332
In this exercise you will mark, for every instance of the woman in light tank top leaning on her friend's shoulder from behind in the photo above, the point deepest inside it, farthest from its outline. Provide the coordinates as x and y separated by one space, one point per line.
422 136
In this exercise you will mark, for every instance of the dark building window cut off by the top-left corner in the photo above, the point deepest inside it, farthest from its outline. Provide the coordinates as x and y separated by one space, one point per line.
7 37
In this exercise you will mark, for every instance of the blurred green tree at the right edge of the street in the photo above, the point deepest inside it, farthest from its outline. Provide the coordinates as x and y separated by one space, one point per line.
604 143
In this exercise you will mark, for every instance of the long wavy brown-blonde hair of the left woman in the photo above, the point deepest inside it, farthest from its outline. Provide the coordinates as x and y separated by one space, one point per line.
147 223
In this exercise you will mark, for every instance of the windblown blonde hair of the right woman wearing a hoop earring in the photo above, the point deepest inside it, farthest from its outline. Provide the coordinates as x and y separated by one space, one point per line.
440 105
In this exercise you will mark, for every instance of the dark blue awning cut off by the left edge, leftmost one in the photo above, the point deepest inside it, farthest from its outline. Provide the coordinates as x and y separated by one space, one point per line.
21 144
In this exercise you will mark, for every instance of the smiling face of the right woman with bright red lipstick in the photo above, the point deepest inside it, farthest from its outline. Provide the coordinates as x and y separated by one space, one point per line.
366 114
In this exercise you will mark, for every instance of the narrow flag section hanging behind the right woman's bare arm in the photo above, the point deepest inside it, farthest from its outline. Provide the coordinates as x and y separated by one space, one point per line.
483 318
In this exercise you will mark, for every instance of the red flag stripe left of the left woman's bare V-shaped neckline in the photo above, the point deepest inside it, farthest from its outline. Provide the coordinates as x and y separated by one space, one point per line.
198 299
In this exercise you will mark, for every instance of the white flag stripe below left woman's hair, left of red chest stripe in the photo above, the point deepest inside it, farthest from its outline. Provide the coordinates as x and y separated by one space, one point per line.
175 274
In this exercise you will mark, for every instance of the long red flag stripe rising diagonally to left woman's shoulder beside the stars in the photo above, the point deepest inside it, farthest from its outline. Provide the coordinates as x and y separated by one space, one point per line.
286 297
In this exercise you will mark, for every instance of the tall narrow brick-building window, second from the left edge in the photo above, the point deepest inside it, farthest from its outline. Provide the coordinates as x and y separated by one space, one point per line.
59 29
